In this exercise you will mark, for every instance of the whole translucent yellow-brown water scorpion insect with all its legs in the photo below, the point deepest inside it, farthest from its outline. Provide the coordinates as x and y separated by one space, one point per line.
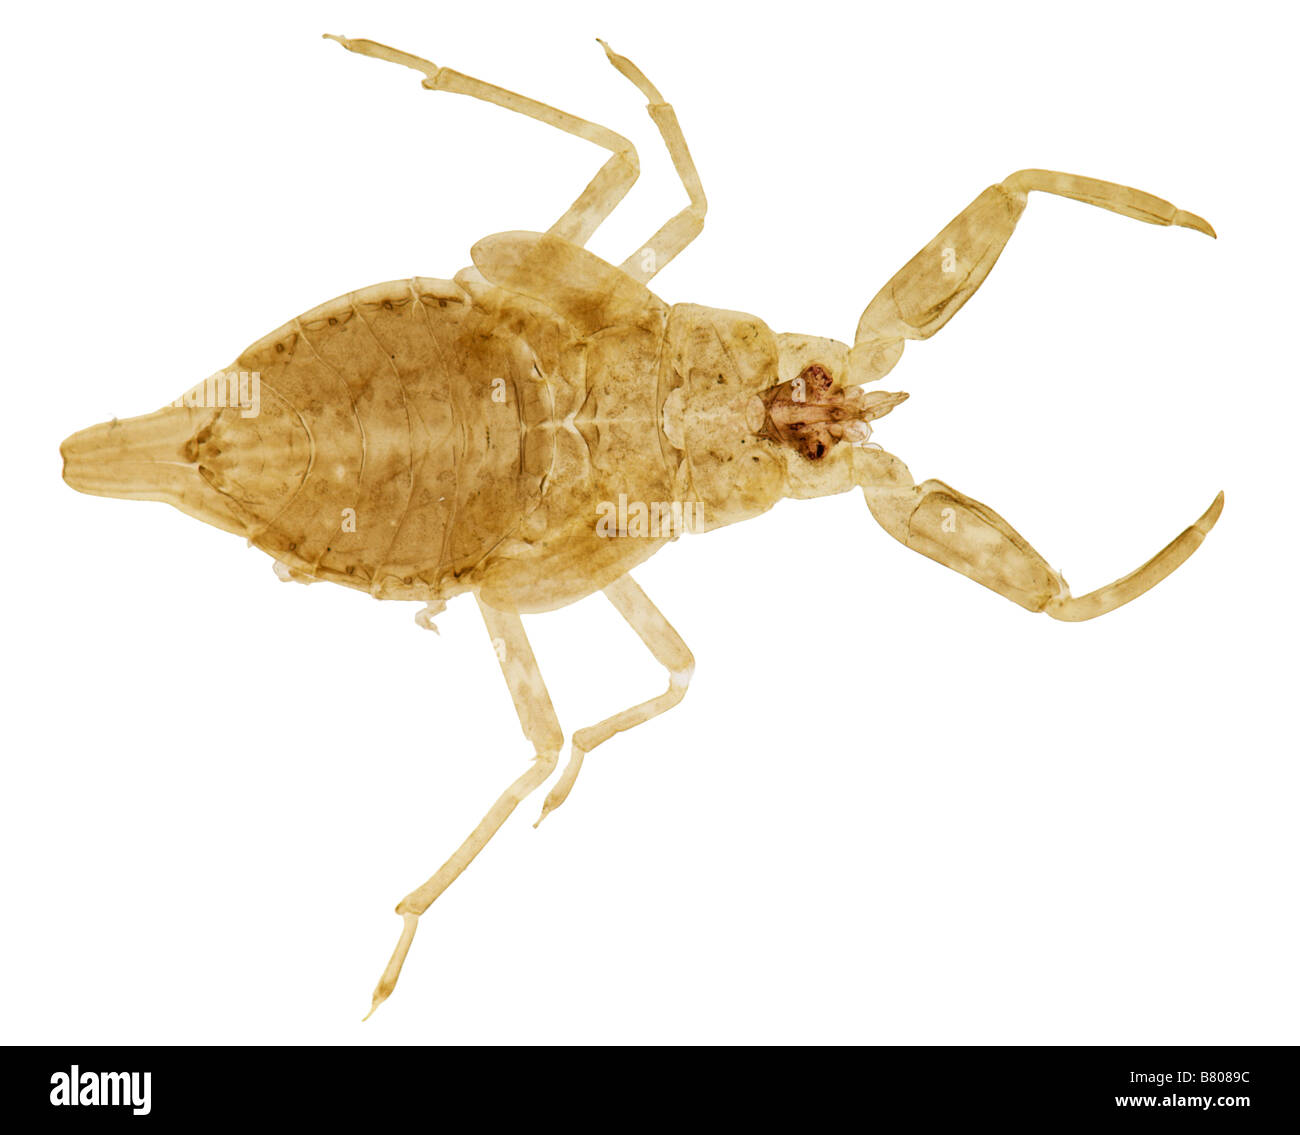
535 428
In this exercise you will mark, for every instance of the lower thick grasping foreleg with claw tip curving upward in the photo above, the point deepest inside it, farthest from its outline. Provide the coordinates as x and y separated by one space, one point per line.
972 539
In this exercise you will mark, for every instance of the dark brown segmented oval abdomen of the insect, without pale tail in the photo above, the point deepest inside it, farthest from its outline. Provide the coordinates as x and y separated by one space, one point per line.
422 411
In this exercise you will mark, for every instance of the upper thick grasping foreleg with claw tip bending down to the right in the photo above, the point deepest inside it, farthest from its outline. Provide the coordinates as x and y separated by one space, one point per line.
929 291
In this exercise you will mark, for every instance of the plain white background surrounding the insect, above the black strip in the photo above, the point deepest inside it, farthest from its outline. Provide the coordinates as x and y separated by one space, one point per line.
895 809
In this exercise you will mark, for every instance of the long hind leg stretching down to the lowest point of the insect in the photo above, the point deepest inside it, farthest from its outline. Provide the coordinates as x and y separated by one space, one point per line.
541 727
